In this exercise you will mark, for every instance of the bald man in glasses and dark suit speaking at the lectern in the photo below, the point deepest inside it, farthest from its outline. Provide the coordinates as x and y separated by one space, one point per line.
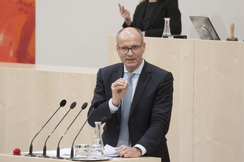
150 110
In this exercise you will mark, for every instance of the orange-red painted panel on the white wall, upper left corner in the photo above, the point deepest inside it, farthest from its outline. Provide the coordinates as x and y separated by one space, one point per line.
17 31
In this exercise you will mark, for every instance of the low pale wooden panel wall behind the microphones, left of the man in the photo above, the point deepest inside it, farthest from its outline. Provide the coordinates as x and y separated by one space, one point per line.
30 94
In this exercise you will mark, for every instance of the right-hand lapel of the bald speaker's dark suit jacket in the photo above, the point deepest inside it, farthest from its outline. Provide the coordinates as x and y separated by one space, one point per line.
142 83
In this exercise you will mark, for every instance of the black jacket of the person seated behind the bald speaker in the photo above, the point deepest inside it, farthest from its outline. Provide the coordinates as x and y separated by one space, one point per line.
165 8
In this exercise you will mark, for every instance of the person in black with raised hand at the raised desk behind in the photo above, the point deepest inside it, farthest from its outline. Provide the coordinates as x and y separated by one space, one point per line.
149 17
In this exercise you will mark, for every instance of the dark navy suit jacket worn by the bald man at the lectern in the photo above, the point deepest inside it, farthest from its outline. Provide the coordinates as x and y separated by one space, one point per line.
150 110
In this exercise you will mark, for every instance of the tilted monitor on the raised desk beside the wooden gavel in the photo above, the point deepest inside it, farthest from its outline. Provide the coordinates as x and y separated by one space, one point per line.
204 28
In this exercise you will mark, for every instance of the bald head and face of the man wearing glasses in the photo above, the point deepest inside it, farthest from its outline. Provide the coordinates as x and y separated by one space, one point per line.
130 38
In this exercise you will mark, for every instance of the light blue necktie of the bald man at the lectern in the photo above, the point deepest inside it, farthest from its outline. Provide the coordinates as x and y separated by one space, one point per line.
125 112
